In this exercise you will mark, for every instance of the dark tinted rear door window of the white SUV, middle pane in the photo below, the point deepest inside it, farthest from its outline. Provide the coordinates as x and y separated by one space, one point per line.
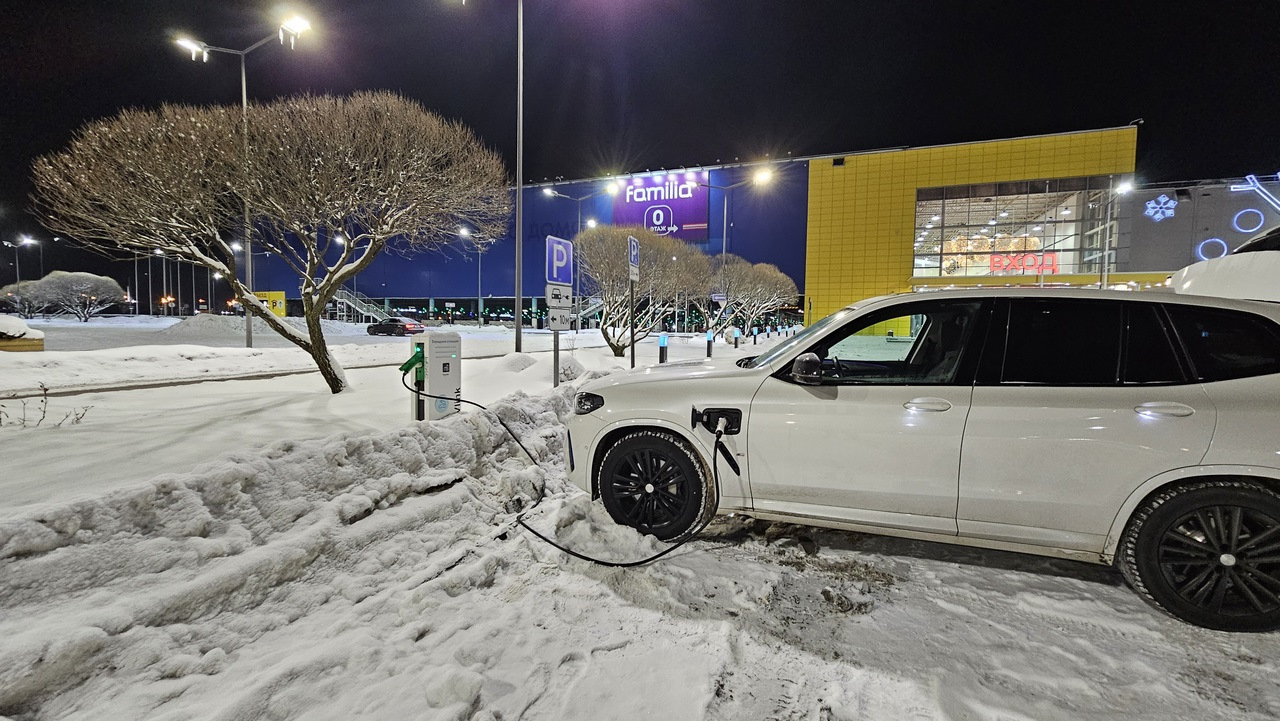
1063 343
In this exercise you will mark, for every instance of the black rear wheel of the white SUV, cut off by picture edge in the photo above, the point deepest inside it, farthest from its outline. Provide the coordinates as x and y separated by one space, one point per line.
1209 554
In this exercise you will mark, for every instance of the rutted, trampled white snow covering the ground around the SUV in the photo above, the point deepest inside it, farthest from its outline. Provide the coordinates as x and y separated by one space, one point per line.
341 564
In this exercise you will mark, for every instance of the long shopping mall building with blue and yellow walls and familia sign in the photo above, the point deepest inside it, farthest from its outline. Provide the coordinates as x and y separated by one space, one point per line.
1057 209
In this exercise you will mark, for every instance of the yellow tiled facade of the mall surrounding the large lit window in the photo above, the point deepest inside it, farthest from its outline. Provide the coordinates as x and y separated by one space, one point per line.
863 208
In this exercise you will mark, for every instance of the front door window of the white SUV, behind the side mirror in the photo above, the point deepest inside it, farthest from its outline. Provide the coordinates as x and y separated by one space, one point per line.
915 345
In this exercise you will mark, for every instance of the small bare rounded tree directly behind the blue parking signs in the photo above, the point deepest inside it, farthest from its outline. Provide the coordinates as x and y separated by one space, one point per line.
666 268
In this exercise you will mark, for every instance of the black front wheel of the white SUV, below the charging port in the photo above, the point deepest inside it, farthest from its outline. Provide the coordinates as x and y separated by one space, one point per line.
653 482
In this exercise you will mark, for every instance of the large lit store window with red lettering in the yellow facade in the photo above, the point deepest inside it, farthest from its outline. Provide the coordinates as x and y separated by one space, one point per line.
1039 229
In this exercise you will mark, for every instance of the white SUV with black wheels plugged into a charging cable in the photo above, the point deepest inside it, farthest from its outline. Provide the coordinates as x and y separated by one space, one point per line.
1141 430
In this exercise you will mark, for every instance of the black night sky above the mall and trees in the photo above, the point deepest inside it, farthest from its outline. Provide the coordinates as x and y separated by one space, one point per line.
632 85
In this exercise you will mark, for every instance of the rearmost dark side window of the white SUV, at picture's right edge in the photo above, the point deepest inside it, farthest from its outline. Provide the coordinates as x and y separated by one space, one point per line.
1227 344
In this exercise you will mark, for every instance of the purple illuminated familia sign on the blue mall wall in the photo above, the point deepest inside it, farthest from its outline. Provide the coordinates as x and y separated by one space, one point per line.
669 204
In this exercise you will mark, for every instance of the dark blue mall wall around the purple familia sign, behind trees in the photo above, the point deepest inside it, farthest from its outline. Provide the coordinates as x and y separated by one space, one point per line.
767 225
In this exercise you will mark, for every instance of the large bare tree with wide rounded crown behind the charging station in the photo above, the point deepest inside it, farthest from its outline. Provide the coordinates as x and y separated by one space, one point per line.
331 182
